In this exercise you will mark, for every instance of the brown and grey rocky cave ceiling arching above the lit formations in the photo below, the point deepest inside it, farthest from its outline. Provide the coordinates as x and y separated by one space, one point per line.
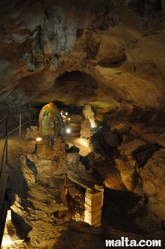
106 53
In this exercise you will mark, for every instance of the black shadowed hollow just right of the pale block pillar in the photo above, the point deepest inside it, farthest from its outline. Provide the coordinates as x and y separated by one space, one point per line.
117 205
